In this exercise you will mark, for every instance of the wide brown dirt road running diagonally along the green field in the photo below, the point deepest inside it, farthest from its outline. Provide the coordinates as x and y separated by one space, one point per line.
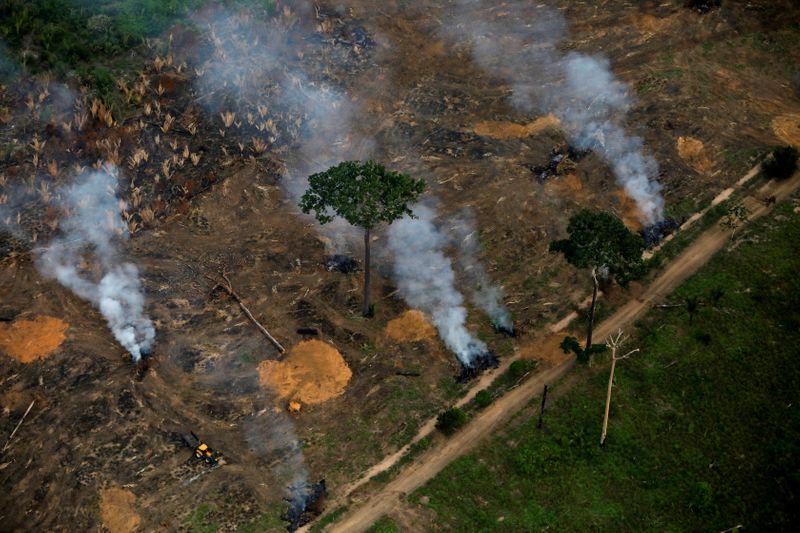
418 472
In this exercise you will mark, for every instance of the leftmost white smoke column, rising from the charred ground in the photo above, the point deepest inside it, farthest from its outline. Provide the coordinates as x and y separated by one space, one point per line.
93 226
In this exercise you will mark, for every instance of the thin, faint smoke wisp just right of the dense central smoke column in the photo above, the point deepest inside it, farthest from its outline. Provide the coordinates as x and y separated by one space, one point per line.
486 296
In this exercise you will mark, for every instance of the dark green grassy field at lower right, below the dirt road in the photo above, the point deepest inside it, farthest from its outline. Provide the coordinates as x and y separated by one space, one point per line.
704 426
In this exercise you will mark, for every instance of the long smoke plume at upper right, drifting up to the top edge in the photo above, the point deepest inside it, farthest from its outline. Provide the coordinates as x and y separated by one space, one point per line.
579 89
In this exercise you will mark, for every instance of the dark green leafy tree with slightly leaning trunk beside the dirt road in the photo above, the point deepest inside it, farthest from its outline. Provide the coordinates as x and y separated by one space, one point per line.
600 242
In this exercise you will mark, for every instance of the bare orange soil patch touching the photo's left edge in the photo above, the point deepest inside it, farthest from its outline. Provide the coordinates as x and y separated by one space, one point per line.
30 340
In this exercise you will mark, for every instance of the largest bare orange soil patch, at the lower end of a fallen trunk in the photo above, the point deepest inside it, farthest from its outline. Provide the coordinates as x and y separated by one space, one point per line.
312 373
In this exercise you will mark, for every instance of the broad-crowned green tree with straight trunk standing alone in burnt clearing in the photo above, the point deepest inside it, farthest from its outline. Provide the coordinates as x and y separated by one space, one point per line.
365 194
